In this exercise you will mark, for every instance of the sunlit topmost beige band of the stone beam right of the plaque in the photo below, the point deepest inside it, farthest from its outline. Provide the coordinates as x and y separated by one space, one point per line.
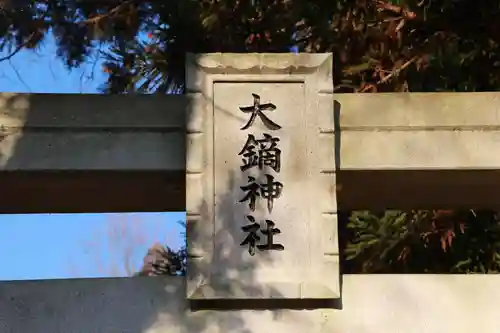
419 110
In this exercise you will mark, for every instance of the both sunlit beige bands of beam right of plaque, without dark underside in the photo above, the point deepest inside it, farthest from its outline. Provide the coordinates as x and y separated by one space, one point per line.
419 131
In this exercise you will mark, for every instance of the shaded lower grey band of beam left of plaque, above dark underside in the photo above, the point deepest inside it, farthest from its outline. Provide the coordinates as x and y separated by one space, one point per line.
93 150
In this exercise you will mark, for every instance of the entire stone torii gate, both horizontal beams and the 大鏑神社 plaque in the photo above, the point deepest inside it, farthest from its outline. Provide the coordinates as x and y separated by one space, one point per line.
95 153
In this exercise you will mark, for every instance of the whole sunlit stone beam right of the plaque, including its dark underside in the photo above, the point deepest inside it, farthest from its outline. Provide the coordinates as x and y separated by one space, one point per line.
417 150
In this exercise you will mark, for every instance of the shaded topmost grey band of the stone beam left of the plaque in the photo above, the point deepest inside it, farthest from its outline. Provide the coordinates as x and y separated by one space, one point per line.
92 111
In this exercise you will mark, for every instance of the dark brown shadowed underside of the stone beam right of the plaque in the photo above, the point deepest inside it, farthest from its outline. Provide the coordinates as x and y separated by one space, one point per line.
380 190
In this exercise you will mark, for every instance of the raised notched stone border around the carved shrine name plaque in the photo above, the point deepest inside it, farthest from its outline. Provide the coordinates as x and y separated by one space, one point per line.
202 71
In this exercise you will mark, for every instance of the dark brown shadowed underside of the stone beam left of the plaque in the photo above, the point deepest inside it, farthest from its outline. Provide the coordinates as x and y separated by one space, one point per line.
92 191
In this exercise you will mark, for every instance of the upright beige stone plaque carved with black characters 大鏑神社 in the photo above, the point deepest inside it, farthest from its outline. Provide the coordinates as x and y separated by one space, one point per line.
261 126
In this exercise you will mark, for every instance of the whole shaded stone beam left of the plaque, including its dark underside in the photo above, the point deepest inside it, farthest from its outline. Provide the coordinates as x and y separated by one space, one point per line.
71 153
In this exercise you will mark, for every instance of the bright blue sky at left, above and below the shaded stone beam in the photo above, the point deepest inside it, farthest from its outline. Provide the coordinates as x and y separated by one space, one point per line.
48 246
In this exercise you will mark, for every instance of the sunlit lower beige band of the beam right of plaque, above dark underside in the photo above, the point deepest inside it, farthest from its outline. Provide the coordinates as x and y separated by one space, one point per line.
419 149
